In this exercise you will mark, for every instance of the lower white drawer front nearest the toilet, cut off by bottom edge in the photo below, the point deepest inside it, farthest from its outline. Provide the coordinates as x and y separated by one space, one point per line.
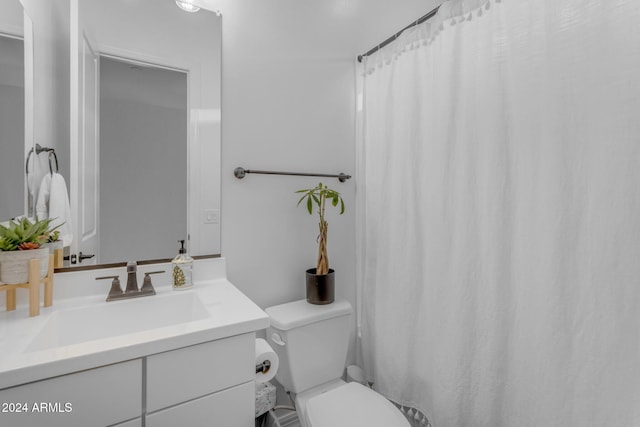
229 408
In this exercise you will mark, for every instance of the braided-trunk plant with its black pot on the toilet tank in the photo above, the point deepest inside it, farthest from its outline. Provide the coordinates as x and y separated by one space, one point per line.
321 279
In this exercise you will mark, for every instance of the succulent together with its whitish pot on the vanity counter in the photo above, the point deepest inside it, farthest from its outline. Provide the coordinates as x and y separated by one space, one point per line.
21 242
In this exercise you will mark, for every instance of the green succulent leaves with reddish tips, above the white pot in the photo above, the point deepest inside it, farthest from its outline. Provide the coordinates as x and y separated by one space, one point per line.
24 234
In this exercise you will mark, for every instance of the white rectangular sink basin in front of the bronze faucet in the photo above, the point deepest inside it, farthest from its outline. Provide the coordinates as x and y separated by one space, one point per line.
111 319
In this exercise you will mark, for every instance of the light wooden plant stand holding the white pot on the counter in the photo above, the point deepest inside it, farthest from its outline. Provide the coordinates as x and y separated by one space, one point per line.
34 286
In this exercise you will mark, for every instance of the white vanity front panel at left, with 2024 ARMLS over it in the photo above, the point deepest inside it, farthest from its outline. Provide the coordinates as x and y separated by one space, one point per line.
97 397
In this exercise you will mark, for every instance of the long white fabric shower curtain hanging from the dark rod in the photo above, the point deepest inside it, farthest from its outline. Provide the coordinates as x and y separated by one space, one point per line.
499 208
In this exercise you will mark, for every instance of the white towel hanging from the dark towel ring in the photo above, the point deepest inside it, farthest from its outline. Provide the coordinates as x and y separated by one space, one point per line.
53 202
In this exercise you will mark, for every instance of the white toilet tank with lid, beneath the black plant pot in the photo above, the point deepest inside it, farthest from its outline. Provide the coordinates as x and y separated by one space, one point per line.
311 342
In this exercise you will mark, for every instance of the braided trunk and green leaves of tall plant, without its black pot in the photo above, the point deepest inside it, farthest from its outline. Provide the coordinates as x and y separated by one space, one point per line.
318 196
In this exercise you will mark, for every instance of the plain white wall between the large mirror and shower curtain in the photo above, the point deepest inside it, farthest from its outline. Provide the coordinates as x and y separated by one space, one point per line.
288 104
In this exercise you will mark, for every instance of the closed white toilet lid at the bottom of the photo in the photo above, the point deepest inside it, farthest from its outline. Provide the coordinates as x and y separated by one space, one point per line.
353 405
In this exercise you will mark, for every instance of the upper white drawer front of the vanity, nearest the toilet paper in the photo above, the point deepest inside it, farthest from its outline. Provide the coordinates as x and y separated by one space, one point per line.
191 372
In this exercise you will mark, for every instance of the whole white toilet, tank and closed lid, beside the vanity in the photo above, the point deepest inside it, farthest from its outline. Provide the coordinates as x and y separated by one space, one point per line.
311 342
